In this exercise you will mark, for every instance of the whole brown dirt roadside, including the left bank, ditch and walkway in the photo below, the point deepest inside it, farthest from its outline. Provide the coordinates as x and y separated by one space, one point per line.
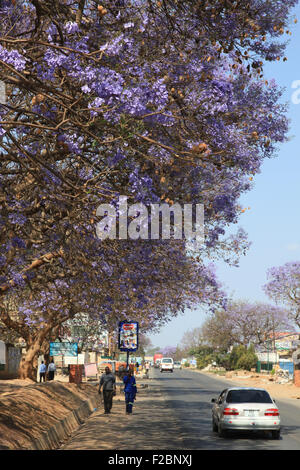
58 414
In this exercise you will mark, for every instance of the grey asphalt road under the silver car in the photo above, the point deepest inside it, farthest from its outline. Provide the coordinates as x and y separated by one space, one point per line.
189 397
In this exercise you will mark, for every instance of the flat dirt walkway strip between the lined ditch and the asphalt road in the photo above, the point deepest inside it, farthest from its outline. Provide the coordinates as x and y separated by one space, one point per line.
151 426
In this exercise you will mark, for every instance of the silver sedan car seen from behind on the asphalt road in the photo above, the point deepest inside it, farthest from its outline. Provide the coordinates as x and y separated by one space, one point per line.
245 409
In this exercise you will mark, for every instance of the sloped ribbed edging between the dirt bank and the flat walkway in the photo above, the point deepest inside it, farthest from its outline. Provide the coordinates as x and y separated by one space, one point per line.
62 430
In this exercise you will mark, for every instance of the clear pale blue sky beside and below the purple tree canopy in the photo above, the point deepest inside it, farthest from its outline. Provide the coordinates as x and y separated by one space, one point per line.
273 221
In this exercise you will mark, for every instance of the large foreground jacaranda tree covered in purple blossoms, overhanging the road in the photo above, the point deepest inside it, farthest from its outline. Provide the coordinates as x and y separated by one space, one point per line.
157 101
